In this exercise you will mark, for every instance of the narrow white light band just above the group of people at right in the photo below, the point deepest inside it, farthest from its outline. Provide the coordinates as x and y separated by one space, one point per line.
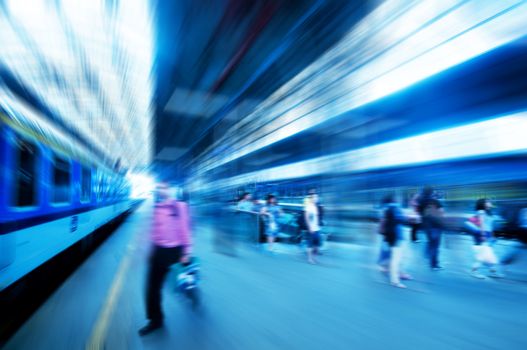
499 136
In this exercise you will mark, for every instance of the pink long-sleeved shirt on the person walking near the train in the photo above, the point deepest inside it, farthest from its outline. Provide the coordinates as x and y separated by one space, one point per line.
171 225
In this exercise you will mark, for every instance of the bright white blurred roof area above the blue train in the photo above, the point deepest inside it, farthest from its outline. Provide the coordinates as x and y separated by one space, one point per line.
89 63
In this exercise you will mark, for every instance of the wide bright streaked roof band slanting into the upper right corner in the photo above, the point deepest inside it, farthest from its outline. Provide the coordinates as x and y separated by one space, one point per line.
399 44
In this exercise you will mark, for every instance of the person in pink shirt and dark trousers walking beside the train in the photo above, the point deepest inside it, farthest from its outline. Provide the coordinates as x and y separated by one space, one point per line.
170 235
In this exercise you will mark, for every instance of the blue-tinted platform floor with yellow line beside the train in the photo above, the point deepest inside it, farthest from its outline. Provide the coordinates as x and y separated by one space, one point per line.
258 300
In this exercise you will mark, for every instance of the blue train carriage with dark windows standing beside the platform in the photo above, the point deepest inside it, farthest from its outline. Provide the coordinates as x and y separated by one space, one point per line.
53 194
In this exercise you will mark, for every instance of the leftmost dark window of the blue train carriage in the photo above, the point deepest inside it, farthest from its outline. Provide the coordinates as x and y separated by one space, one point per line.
26 175
